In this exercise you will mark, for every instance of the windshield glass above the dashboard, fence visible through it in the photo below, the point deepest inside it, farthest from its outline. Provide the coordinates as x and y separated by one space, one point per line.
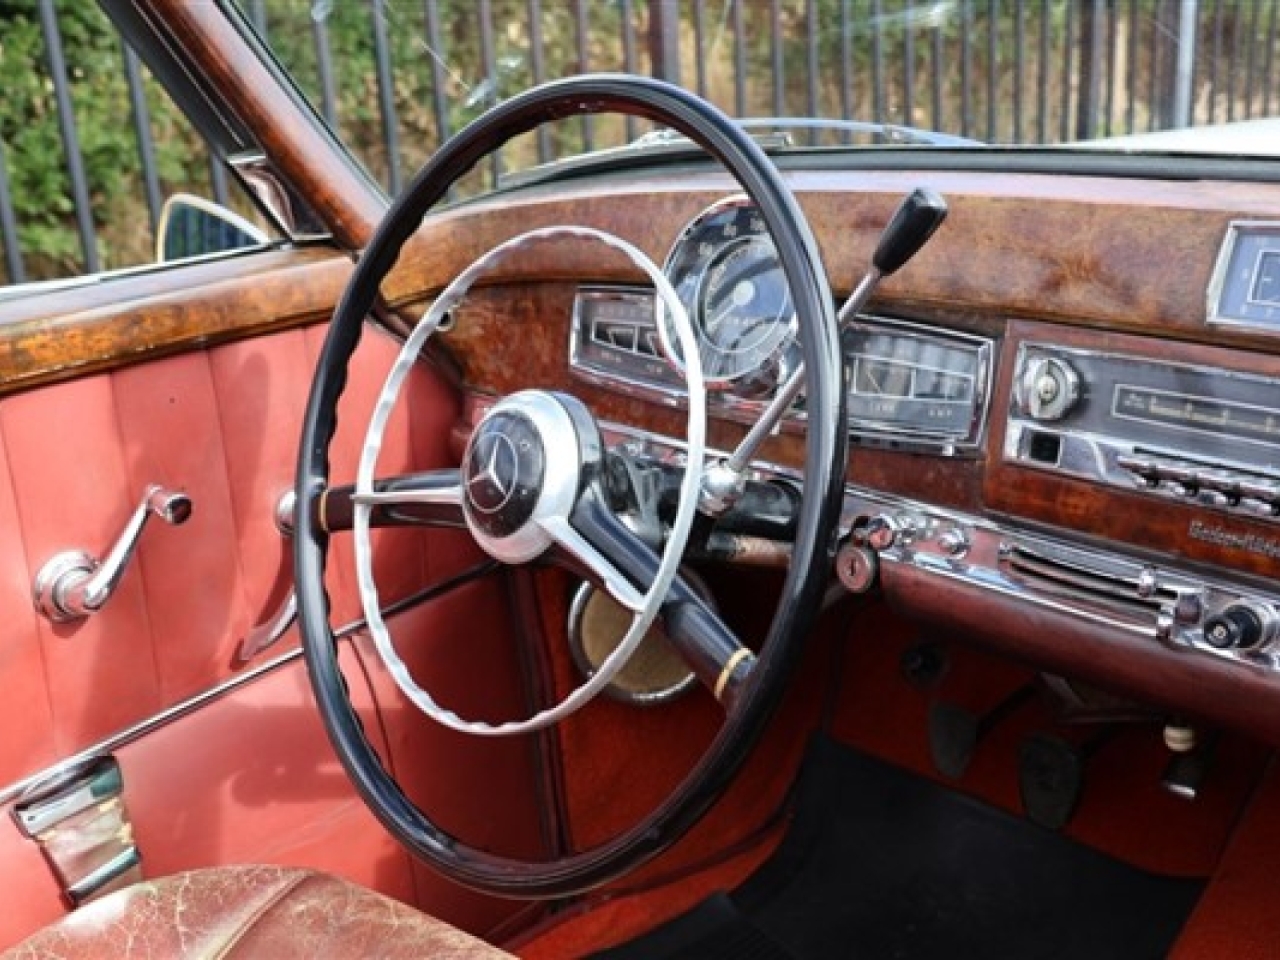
395 77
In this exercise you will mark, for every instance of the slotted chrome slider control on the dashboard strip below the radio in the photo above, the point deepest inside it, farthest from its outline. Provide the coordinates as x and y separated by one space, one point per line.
1122 588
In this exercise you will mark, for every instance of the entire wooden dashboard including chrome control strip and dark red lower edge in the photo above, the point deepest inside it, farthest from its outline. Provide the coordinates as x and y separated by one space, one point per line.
1089 264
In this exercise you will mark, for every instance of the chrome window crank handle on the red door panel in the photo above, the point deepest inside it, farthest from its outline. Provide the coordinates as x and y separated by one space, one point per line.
74 584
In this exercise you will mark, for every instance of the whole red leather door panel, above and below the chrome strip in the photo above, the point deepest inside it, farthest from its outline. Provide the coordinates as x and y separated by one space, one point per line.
249 776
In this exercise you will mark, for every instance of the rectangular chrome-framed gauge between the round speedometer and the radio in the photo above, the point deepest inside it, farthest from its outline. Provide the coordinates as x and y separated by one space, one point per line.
916 386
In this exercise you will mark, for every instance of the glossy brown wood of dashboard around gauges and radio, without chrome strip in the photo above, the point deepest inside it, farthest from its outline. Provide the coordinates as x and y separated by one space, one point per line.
1091 257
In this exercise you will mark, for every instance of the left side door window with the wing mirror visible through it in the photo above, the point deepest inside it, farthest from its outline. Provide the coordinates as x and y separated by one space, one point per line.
99 170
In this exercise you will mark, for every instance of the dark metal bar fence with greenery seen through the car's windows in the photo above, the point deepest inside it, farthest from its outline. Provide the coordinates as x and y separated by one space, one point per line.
81 188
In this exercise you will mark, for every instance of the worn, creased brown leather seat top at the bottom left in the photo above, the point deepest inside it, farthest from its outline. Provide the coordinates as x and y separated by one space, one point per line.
250 912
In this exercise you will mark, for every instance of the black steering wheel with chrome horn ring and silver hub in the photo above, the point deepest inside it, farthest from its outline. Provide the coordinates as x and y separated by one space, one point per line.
525 514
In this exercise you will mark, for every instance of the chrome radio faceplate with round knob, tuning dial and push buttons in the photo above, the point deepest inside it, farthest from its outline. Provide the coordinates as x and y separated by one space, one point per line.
1199 435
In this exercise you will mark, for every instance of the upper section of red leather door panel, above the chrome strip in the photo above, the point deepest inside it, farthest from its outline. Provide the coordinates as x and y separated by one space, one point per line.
221 426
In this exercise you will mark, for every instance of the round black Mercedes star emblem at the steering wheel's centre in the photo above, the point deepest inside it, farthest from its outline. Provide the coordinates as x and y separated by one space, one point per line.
504 473
